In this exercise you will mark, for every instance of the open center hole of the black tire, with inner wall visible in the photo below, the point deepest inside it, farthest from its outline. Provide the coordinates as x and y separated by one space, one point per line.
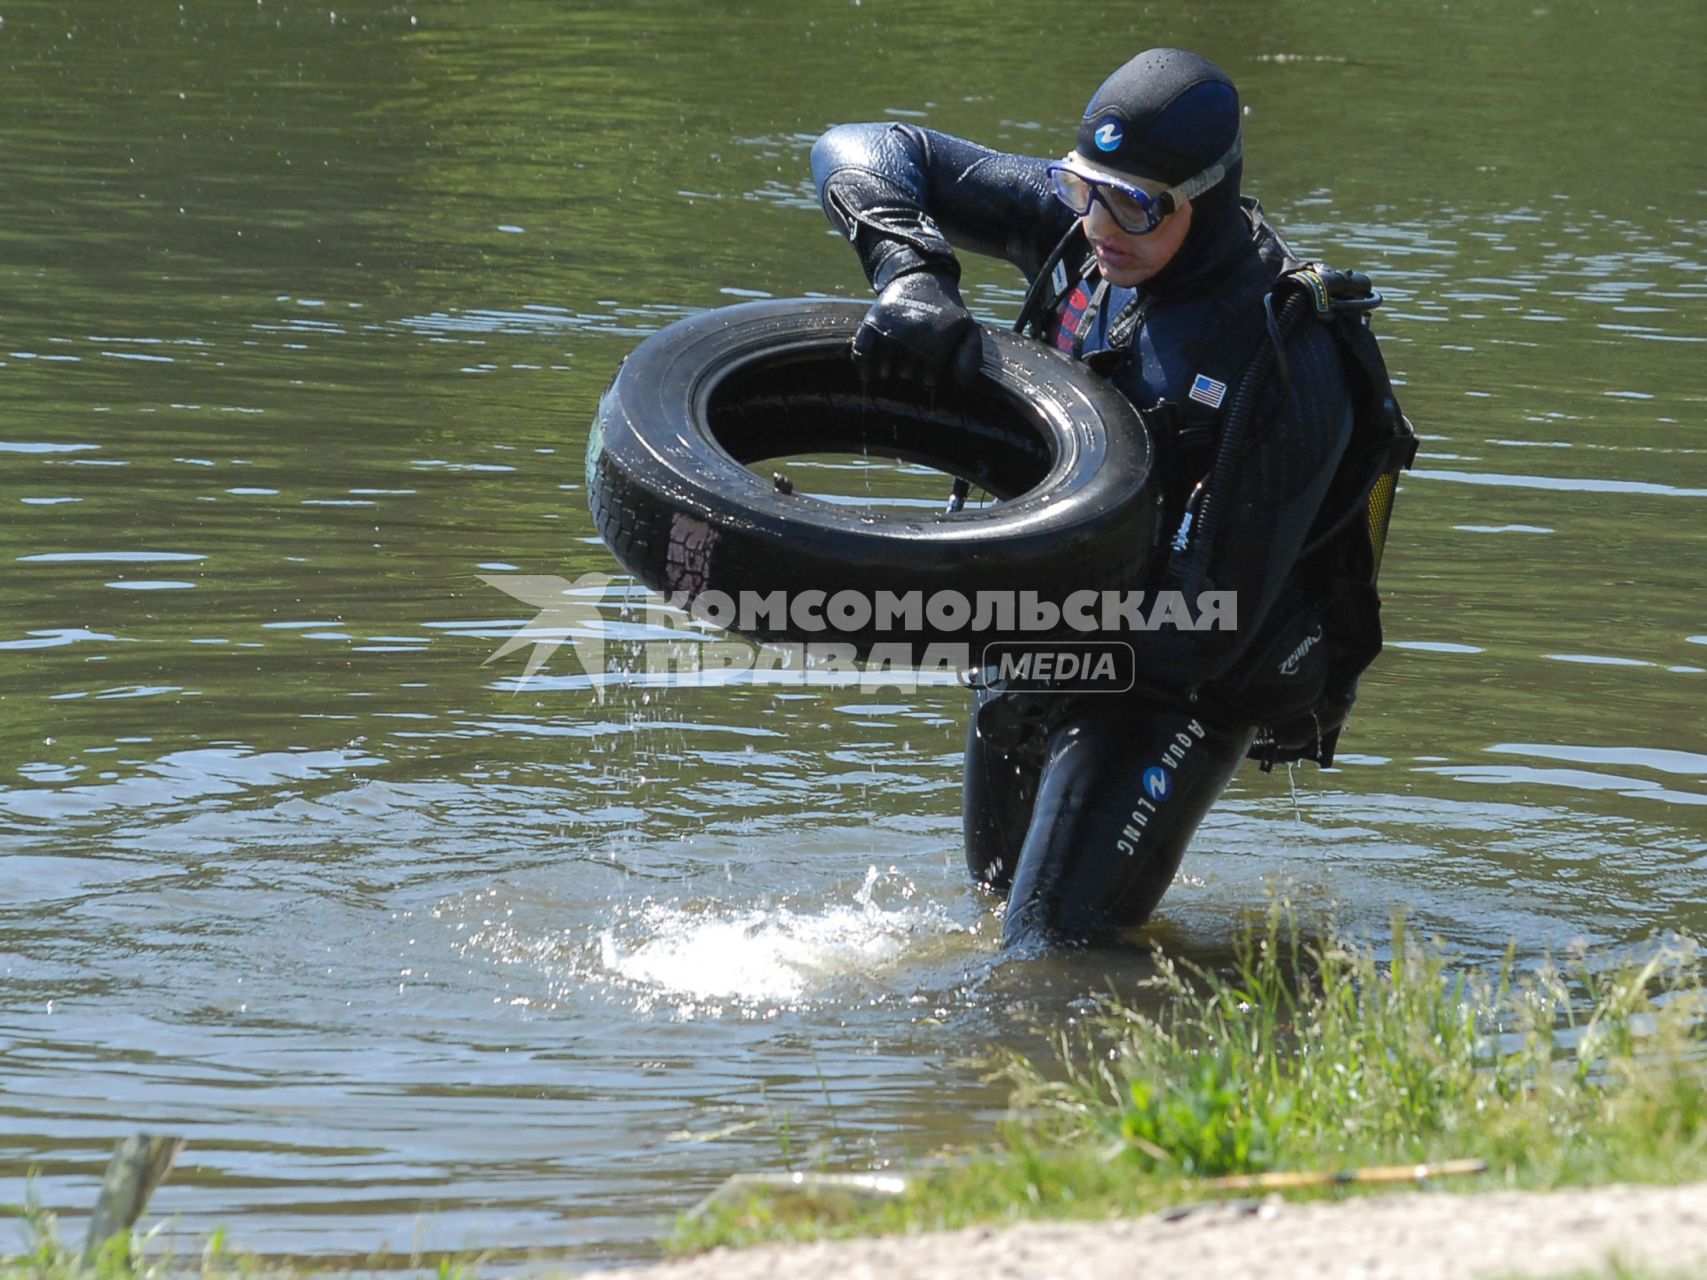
813 407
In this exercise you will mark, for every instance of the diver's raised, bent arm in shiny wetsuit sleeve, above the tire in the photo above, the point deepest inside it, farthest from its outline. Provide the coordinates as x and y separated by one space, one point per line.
906 197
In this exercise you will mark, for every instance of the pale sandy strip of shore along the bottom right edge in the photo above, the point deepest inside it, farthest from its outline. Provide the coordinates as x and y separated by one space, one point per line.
1413 1236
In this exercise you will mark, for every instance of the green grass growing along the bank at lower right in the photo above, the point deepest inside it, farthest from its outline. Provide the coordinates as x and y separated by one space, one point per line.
1314 1056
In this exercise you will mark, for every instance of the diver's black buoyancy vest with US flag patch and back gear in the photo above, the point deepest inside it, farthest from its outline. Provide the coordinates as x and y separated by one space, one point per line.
1298 678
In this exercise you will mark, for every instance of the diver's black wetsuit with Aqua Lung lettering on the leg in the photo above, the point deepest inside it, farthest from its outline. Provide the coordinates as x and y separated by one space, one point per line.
1083 806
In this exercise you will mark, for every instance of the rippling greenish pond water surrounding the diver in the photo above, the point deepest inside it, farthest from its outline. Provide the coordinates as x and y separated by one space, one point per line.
305 311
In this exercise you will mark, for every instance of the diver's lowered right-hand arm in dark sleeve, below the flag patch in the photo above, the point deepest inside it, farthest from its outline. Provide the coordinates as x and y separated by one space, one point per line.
1278 497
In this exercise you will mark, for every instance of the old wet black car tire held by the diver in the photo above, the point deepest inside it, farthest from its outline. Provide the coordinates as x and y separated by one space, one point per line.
699 404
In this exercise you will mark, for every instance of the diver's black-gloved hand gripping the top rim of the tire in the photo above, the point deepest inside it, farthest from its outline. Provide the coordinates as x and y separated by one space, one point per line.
919 330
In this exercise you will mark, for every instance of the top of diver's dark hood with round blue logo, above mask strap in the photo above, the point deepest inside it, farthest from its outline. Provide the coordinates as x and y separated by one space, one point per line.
1167 115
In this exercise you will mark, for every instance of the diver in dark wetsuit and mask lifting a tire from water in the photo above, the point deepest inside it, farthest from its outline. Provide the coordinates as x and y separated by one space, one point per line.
1083 808
